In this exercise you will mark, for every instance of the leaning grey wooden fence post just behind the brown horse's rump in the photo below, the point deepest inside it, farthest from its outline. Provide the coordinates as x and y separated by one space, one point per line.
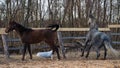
61 44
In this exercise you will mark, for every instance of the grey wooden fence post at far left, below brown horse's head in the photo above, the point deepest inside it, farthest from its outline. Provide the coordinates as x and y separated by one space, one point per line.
5 45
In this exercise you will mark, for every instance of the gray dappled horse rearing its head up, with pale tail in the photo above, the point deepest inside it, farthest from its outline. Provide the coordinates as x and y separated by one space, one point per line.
97 39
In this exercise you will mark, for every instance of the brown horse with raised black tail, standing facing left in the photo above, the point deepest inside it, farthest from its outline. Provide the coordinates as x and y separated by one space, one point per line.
29 36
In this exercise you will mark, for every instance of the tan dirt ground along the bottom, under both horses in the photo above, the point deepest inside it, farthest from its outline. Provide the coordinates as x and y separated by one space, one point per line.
73 61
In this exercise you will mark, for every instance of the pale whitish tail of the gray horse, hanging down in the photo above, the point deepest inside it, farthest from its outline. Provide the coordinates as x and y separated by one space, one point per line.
110 48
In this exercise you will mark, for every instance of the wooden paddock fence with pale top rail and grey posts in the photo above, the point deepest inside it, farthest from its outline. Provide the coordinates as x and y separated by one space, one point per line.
59 34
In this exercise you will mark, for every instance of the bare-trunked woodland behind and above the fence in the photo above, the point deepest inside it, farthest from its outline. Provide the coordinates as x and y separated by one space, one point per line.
67 13
